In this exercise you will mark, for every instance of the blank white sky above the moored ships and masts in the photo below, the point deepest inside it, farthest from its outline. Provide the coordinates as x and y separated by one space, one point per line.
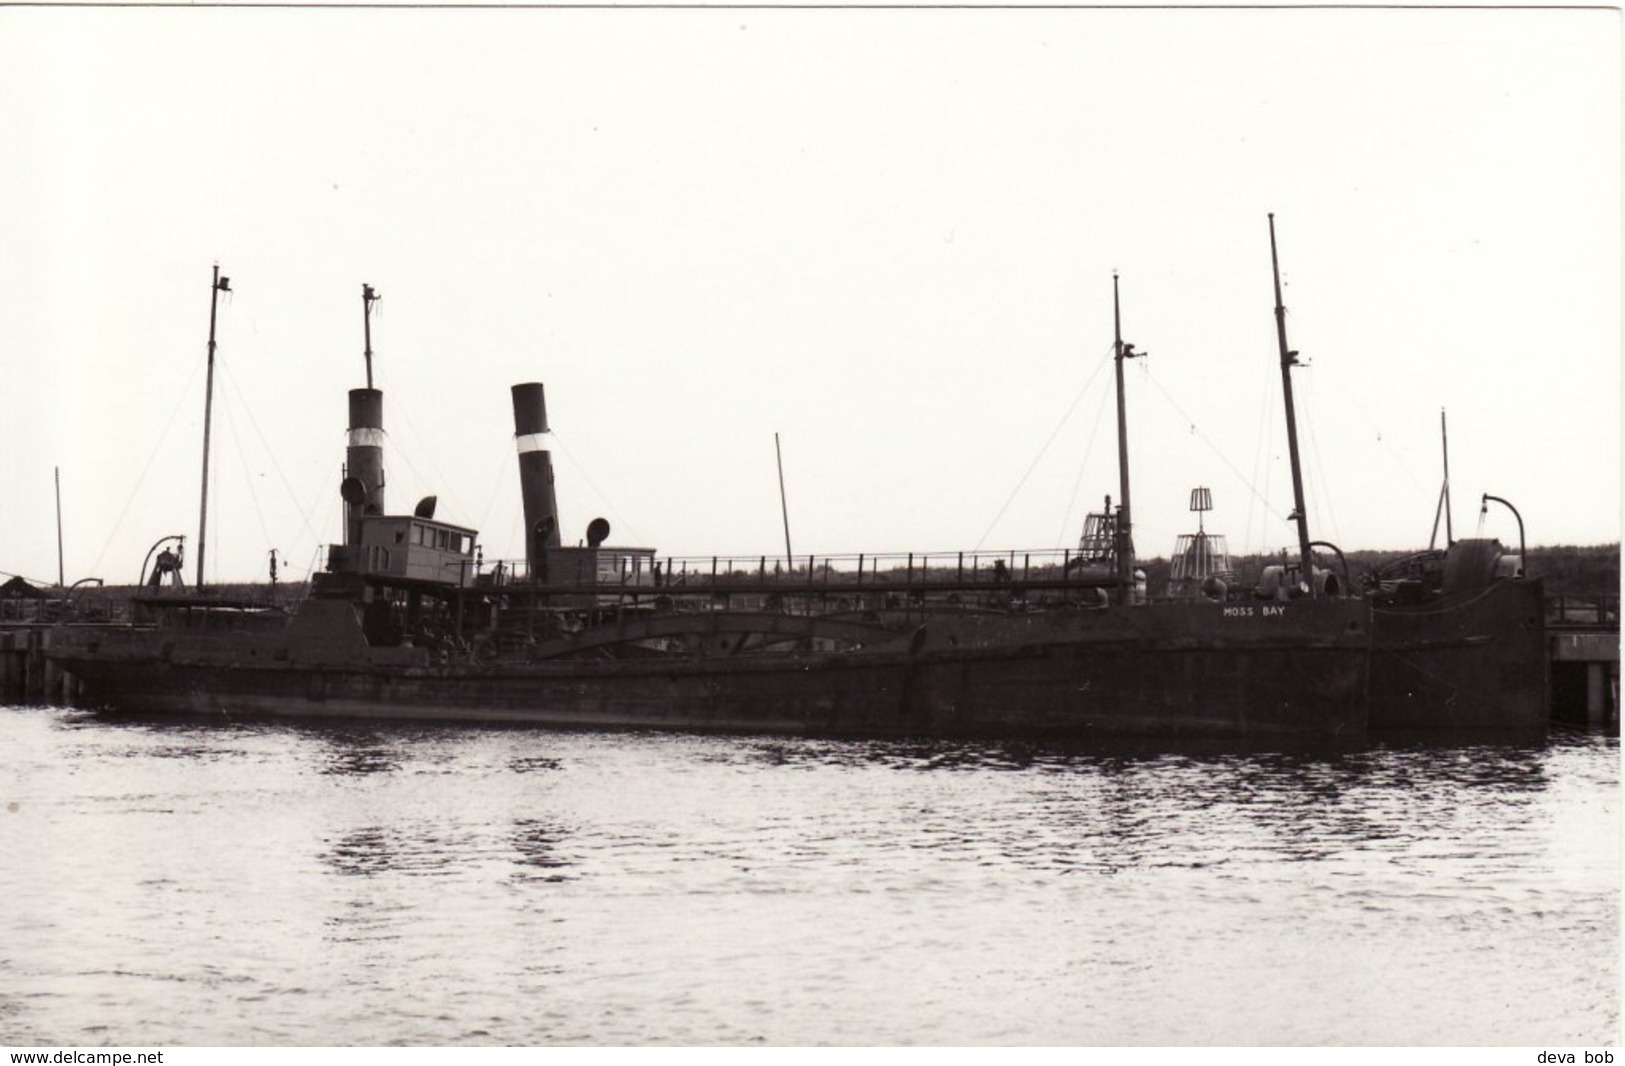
886 236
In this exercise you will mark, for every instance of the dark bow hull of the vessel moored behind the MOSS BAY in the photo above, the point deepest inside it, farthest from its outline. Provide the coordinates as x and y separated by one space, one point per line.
1463 664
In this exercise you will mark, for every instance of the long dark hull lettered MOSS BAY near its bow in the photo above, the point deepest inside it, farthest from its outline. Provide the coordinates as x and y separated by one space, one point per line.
1155 672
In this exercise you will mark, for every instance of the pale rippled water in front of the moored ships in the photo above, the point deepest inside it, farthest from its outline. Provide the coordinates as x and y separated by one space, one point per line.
274 885
